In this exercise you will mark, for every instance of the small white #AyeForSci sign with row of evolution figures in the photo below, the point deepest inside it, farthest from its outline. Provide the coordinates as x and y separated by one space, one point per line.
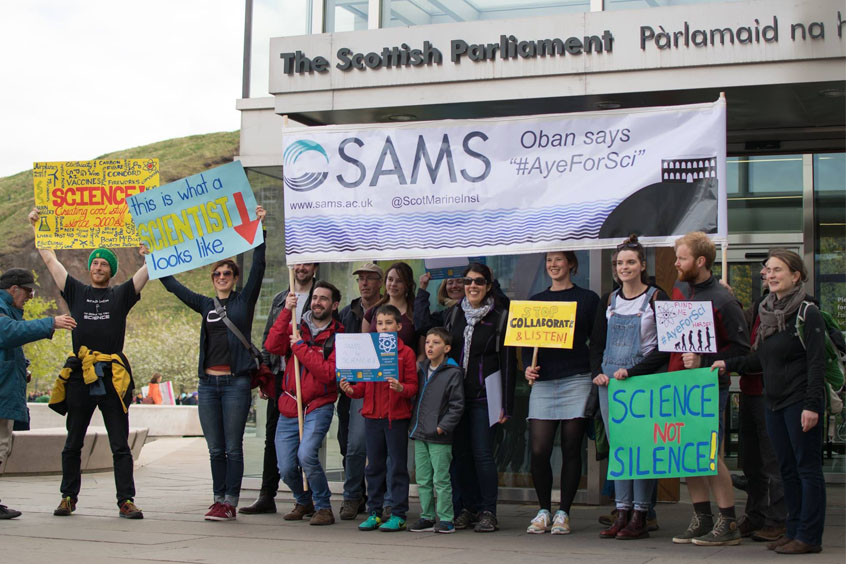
685 327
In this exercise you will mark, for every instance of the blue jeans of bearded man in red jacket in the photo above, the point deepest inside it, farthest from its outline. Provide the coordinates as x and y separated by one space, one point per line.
293 455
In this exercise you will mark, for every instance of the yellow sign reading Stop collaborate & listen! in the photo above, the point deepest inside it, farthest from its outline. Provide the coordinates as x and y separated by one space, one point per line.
541 324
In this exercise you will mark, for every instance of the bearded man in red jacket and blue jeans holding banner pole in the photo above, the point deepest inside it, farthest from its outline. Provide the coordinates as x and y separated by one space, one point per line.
316 355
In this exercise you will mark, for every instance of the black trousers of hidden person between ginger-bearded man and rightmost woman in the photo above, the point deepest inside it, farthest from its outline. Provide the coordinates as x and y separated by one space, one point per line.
765 492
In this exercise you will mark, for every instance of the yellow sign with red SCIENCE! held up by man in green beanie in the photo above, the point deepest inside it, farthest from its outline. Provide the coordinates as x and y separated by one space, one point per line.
83 203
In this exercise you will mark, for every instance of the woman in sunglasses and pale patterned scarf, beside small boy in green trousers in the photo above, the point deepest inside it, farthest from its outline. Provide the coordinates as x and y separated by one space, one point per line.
477 327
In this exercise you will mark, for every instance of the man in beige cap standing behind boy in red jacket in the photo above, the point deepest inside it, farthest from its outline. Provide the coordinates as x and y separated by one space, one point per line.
350 420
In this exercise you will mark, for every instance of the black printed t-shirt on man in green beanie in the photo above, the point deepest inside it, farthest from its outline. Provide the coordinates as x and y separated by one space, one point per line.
100 314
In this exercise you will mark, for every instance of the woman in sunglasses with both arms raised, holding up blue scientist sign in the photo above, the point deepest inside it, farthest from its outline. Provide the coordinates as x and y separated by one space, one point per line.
224 370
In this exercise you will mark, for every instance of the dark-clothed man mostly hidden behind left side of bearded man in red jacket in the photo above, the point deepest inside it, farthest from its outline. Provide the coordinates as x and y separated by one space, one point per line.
304 280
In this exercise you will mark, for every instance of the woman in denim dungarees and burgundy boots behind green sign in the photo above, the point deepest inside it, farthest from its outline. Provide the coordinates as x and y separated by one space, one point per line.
624 344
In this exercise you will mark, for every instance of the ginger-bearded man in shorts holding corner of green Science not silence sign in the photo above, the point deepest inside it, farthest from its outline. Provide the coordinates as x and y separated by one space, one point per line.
695 254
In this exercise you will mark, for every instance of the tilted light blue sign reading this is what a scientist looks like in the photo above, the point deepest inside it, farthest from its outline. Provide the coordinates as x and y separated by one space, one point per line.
197 220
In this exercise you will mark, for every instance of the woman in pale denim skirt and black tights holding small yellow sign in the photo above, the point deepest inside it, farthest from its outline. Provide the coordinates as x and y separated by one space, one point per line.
560 389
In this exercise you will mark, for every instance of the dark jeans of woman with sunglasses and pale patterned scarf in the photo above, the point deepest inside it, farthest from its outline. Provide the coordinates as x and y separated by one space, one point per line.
476 479
